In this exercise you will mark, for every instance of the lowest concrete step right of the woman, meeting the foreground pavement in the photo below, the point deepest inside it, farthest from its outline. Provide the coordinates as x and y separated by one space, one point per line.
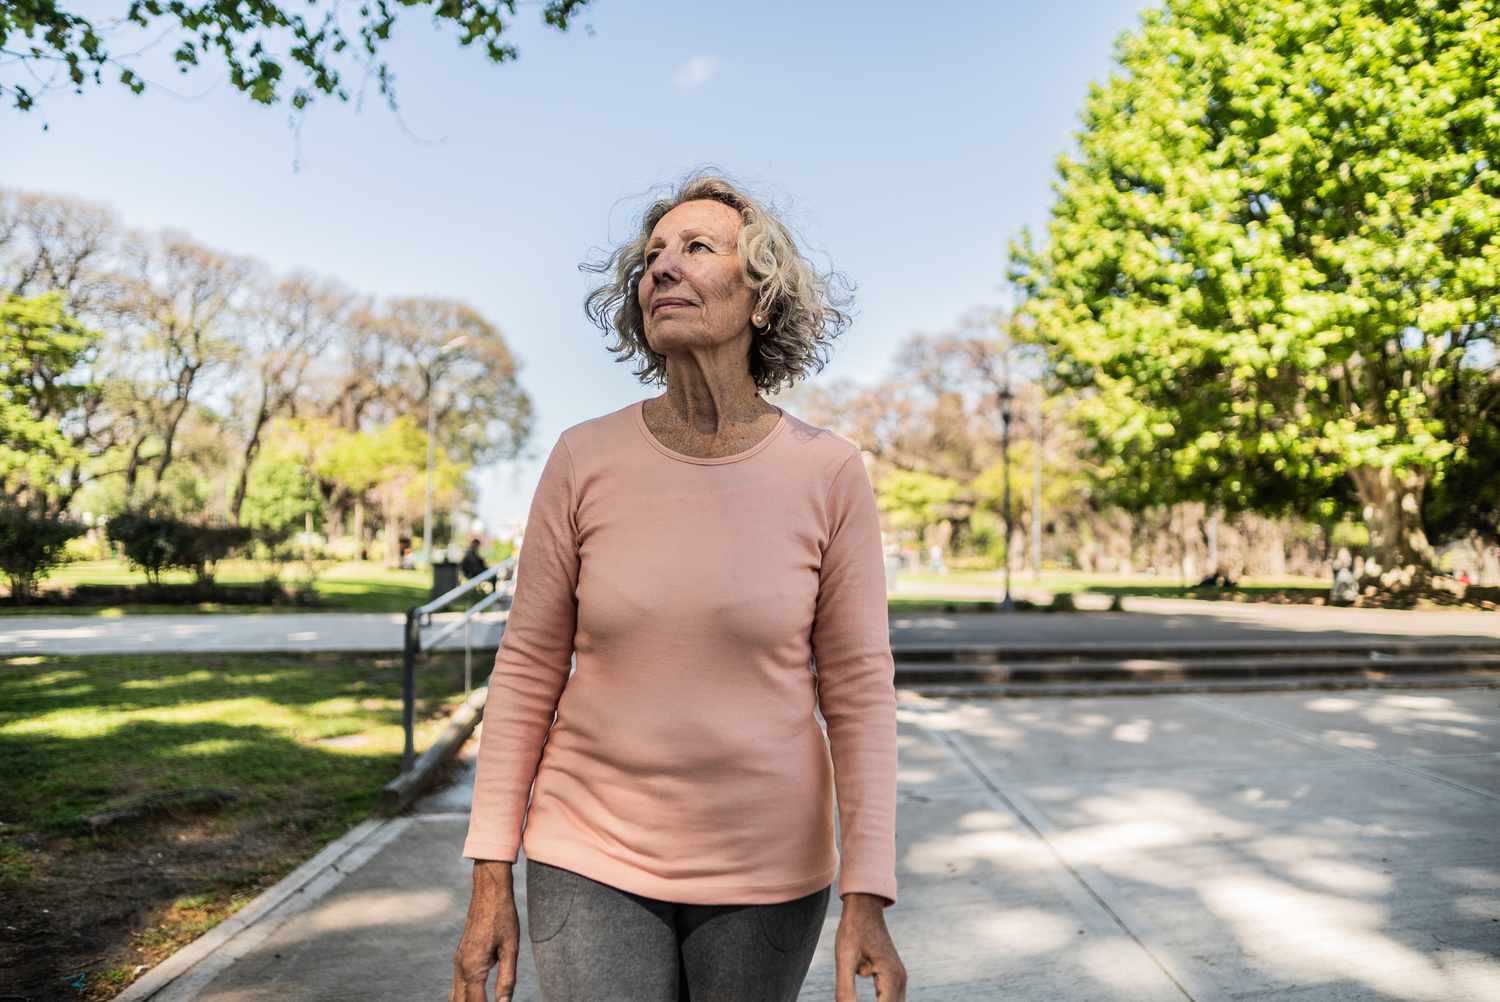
1367 680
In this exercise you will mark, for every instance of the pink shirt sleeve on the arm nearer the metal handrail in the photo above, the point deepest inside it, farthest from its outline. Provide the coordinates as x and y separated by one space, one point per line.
532 665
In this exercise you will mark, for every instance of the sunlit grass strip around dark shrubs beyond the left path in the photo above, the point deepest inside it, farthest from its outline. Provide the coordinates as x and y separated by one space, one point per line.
350 587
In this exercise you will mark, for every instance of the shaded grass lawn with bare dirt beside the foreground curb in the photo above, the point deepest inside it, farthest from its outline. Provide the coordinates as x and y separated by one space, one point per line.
245 767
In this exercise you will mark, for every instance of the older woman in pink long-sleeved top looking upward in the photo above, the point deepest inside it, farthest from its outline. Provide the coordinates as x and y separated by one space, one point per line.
713 565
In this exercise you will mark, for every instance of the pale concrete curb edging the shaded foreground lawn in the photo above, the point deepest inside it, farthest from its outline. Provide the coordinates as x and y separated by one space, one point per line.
196 965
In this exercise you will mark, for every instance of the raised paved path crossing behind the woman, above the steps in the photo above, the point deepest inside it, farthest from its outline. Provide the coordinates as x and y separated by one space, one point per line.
1147 620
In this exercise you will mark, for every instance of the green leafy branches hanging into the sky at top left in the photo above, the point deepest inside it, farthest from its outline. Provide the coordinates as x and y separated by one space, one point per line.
257 41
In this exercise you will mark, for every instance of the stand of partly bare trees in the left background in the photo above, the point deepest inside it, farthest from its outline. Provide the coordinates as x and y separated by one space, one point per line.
202 353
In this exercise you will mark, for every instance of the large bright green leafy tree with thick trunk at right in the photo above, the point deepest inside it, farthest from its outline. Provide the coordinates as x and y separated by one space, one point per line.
1271 269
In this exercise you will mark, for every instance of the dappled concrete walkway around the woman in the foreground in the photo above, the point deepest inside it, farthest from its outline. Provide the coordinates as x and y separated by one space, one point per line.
1208 848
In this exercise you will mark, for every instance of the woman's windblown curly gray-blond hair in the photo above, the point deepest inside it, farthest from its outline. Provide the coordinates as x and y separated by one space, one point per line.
805 310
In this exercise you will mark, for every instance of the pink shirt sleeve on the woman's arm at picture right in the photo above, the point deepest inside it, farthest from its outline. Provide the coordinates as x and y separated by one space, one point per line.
857 683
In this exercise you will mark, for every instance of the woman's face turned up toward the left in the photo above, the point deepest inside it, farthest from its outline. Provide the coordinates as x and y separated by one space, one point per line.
694 290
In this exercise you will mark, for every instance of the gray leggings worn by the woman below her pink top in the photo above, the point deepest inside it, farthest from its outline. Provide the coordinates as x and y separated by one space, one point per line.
601 944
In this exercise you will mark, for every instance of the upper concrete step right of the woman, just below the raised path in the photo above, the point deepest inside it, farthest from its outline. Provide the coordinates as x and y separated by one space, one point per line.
1186 668
